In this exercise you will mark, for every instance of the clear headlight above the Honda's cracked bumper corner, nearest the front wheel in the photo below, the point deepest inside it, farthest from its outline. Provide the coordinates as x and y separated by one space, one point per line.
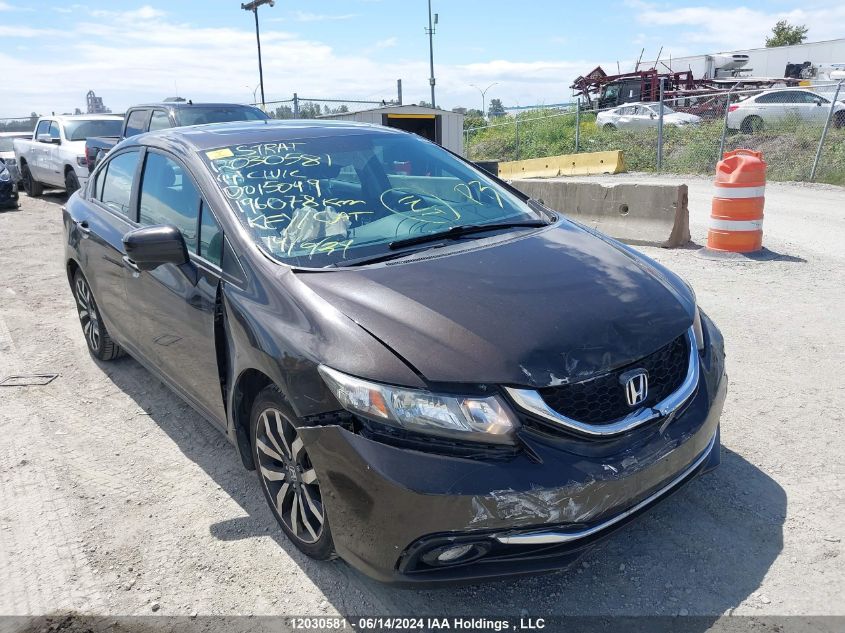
460 417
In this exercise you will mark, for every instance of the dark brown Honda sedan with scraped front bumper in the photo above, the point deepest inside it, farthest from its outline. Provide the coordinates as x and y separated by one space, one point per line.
432 375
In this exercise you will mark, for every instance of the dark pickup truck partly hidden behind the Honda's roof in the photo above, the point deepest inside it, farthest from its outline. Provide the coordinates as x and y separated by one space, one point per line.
159 116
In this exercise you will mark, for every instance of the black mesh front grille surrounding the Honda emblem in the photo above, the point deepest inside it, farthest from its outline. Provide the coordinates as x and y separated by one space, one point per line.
601 400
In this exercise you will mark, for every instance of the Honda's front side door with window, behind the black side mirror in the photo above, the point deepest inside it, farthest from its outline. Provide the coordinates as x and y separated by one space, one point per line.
174 306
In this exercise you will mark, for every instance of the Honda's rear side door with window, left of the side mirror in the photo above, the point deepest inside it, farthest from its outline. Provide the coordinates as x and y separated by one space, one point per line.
106 219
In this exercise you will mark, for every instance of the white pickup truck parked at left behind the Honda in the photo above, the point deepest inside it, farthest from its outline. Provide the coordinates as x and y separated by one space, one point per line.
55 155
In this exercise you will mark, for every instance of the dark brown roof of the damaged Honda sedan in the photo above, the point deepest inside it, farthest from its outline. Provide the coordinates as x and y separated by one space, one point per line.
214 135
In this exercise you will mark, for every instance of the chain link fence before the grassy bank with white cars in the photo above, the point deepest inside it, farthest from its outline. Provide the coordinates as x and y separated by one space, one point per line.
800 131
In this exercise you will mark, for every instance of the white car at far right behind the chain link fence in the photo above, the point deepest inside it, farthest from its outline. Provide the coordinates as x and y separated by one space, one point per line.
772 107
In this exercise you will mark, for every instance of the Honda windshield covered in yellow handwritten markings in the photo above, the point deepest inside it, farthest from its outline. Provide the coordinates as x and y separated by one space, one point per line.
319 201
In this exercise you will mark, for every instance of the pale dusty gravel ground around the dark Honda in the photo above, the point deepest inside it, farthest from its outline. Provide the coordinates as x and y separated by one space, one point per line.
116 498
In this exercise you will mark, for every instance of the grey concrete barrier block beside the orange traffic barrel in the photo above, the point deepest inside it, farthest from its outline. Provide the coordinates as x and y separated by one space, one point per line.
630 212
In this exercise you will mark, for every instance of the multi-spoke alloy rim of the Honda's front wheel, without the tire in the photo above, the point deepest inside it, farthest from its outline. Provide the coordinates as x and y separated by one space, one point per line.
289 477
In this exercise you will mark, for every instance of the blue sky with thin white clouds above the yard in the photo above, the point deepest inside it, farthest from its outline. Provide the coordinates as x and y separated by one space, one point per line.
130 52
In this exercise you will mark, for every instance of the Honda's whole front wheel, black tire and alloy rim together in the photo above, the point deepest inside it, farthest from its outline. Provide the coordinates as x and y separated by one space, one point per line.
280 460
